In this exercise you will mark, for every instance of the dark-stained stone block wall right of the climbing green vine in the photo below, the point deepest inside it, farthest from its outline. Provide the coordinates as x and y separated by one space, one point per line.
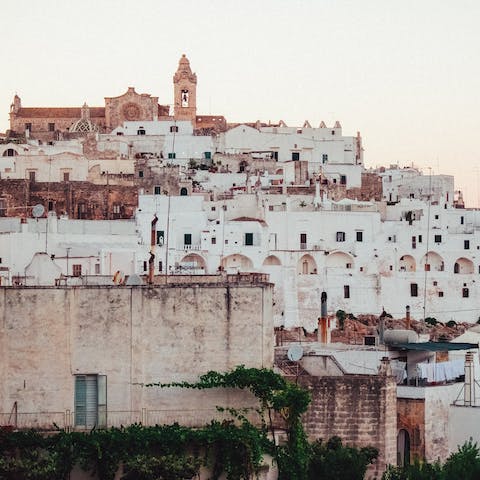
360 409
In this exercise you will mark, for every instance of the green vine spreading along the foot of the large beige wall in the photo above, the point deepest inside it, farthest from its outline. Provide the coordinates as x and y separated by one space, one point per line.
234 448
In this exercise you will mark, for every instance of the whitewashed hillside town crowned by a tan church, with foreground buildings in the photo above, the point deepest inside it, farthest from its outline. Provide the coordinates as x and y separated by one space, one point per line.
141 242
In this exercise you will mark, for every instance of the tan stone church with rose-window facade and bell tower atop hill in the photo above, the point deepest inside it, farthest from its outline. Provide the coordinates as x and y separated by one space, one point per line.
49 124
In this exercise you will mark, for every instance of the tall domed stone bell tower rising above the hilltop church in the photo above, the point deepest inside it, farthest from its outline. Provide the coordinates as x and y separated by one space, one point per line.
185 92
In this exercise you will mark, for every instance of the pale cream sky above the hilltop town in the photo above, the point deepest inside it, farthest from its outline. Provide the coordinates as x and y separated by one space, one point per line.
403 73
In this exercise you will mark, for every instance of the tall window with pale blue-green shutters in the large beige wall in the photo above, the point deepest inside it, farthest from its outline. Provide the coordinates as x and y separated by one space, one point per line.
90 400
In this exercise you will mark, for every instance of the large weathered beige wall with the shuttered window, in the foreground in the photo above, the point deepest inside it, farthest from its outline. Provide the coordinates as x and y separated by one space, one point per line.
134 335
